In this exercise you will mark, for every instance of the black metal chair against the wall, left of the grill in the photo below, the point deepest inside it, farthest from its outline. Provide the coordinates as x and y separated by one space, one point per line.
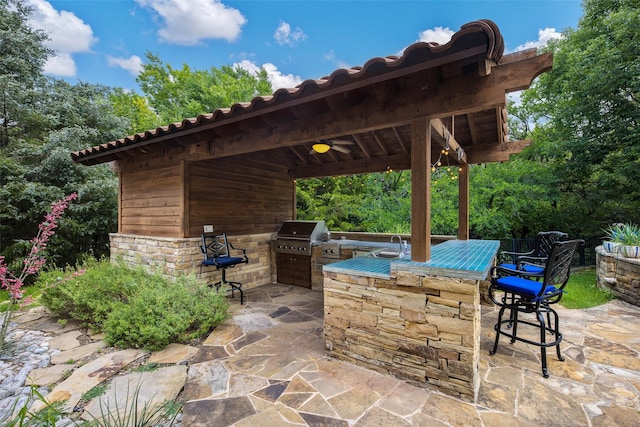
217 252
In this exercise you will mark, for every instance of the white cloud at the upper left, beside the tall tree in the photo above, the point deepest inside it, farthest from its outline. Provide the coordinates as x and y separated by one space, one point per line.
68 35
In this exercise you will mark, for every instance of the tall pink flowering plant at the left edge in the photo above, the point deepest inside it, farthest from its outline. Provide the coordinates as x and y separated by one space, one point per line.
33 262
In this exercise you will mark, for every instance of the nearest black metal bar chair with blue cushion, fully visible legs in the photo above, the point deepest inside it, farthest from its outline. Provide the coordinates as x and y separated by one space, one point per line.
512 289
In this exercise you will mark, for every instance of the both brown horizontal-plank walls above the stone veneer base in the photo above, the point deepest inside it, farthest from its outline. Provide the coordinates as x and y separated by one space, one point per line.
163 195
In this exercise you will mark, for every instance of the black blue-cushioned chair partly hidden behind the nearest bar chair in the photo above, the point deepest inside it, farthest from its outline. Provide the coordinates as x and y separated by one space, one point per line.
532 262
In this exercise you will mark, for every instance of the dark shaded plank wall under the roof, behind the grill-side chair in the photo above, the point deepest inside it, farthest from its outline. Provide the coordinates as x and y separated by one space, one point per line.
238 196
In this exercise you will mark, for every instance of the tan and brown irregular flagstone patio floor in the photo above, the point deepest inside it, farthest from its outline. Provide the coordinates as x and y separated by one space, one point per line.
266 366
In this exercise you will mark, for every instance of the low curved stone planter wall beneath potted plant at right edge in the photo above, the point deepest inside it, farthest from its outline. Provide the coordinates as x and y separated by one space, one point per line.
618 274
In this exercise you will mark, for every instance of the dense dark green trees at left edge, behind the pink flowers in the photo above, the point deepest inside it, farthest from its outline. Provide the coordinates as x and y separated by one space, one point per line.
43 120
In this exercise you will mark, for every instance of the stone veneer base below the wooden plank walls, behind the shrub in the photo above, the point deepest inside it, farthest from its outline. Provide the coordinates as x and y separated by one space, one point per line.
174 257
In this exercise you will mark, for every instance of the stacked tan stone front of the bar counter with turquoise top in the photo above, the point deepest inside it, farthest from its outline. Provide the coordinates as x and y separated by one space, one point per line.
425 330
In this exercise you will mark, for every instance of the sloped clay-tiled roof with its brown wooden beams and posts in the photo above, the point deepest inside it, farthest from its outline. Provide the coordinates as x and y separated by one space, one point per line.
398 113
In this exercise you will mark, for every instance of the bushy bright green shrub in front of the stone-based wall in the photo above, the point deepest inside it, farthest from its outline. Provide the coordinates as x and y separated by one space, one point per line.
135 309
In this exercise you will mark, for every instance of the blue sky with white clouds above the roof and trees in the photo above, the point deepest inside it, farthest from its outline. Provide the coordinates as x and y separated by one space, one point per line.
105 41
